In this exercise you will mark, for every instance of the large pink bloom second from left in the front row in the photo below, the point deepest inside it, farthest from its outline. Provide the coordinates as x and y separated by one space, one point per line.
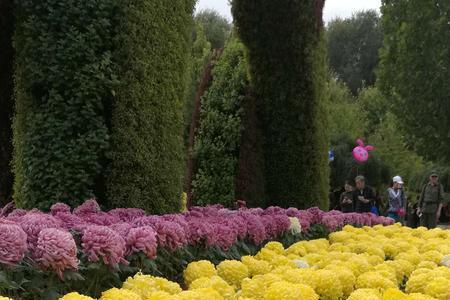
56 250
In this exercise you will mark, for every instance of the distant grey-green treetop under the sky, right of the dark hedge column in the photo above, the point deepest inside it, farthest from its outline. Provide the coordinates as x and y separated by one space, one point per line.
353 46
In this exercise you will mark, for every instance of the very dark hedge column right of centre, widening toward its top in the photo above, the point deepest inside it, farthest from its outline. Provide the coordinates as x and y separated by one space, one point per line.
287 67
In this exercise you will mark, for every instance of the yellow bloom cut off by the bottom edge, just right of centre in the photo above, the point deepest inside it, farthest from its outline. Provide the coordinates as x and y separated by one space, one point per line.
288 291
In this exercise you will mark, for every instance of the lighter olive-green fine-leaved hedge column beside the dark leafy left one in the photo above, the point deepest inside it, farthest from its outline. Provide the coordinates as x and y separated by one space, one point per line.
147 125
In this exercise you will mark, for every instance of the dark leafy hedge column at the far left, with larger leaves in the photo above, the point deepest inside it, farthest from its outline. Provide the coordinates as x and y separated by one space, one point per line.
63 76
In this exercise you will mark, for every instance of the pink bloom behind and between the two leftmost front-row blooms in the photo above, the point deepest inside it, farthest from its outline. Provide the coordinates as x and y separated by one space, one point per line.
33 223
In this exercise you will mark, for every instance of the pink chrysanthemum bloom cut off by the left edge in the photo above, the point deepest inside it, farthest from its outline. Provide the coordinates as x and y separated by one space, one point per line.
13 243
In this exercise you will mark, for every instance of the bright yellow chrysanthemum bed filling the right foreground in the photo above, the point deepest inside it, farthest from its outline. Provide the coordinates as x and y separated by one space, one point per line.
369 263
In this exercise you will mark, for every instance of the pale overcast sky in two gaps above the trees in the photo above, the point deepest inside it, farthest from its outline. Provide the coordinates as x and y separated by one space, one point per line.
333 8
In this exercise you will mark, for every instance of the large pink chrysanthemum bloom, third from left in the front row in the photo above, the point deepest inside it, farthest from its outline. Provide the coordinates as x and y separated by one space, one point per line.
102 242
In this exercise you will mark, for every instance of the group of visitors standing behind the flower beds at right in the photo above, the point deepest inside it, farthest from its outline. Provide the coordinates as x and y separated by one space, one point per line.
426 211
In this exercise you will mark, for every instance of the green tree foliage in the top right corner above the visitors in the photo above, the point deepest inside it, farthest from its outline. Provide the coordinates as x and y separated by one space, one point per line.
414 72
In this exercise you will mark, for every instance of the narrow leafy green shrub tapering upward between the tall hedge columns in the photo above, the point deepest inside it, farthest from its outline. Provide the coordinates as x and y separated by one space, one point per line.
218 140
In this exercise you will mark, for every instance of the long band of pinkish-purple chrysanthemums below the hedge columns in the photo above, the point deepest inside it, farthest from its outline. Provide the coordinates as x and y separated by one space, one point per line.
48 238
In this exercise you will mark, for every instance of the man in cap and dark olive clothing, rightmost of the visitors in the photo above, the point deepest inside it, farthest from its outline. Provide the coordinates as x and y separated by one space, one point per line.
430 202
